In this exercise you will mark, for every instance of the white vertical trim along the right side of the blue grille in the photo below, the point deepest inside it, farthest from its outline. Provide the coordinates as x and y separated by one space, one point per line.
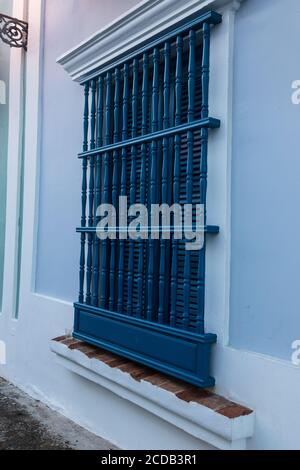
217 295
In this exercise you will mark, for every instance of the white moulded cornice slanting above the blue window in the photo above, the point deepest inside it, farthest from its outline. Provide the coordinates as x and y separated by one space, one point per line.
135 27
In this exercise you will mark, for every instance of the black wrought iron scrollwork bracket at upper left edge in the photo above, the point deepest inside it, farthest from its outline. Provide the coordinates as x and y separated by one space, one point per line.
13 32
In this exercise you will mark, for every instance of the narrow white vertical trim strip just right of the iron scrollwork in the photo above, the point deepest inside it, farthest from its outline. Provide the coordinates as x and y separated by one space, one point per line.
33 136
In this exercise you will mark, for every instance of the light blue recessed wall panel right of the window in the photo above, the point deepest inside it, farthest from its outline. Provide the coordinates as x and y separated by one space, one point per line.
265 276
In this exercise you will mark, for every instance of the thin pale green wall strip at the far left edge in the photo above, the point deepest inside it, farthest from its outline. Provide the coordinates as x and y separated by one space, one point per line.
5 7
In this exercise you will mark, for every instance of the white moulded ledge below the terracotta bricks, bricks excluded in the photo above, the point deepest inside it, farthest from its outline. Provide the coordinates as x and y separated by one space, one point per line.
193 418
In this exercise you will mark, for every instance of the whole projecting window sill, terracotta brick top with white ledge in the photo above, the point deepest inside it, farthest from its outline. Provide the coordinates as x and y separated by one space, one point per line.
210 417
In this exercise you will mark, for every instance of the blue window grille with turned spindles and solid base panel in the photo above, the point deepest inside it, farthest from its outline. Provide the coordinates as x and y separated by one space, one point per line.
146 125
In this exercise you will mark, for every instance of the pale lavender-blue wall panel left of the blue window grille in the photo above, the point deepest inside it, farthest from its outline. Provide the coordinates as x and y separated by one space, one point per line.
60 170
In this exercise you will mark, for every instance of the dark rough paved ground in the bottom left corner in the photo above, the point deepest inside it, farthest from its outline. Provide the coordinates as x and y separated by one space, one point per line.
28 424
